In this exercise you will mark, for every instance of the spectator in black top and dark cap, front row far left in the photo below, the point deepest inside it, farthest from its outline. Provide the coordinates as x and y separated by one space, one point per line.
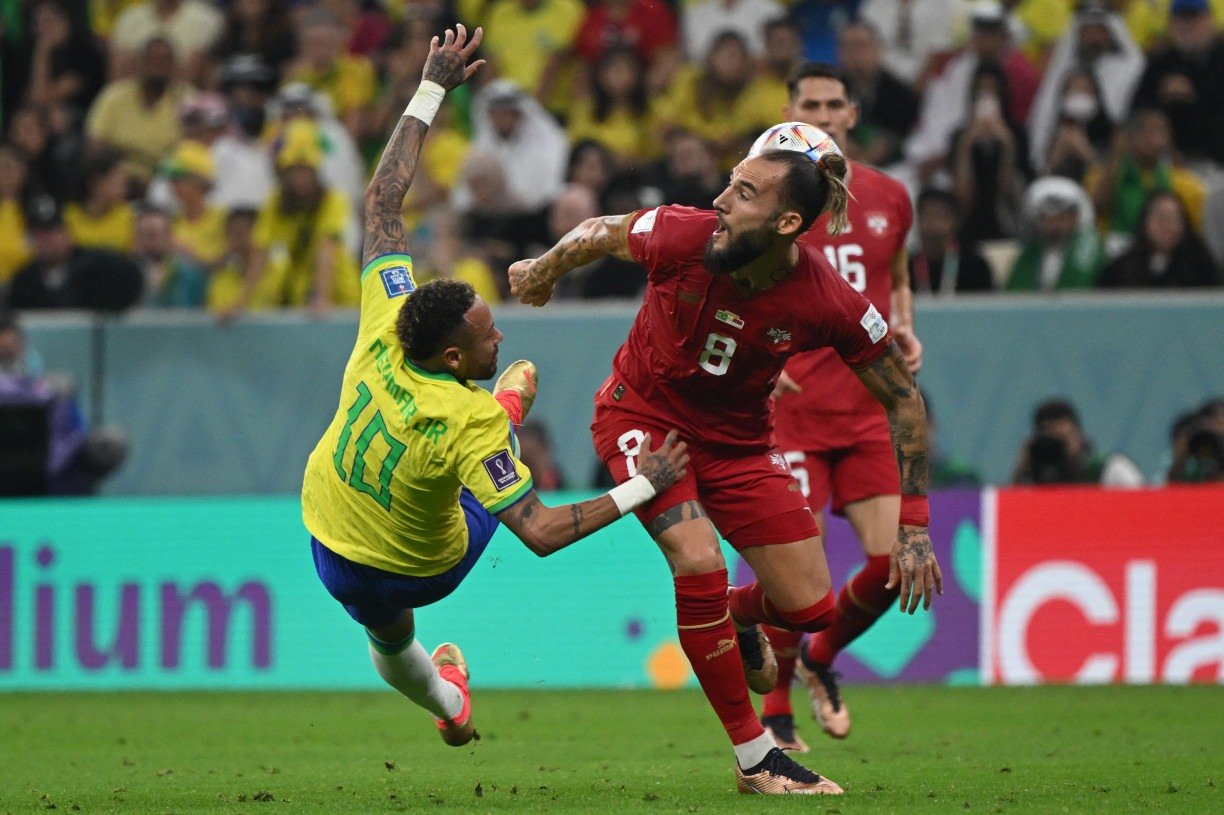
63 276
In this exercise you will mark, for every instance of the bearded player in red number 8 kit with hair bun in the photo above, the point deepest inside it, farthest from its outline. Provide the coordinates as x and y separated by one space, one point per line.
731 296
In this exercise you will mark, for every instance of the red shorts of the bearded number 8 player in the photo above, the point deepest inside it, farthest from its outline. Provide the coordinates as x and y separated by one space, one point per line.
752 500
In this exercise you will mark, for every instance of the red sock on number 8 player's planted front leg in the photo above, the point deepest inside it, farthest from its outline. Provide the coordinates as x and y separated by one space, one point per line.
709 641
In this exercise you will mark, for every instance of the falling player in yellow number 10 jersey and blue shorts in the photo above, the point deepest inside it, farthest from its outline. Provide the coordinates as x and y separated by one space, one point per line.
419 466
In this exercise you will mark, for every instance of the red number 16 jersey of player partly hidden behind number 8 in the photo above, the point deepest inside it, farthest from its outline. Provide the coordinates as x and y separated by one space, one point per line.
835 408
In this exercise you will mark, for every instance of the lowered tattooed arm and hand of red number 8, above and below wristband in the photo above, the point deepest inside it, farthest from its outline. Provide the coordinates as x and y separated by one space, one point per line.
914 564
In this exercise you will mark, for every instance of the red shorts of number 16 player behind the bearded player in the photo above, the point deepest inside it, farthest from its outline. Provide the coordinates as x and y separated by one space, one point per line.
865 469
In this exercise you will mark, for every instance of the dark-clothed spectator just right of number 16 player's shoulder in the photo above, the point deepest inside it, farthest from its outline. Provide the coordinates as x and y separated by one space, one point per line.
944 265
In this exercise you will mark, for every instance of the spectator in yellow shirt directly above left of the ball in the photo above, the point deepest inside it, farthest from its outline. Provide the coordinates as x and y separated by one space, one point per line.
722 100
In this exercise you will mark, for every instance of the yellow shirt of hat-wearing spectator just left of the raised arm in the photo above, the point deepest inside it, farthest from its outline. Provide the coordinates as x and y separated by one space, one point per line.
292 242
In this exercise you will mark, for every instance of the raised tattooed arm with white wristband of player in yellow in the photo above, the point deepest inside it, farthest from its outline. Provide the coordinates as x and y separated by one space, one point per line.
446 68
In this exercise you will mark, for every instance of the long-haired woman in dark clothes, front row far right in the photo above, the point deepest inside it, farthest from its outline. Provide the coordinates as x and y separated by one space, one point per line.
1167 251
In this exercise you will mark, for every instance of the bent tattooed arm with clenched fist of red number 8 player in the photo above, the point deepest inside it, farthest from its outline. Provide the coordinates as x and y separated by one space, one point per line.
532 281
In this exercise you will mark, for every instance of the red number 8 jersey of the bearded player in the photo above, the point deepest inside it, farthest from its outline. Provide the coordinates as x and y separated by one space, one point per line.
703 357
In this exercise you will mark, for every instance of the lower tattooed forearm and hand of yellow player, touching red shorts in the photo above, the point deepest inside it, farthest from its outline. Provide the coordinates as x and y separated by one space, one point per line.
548 529
